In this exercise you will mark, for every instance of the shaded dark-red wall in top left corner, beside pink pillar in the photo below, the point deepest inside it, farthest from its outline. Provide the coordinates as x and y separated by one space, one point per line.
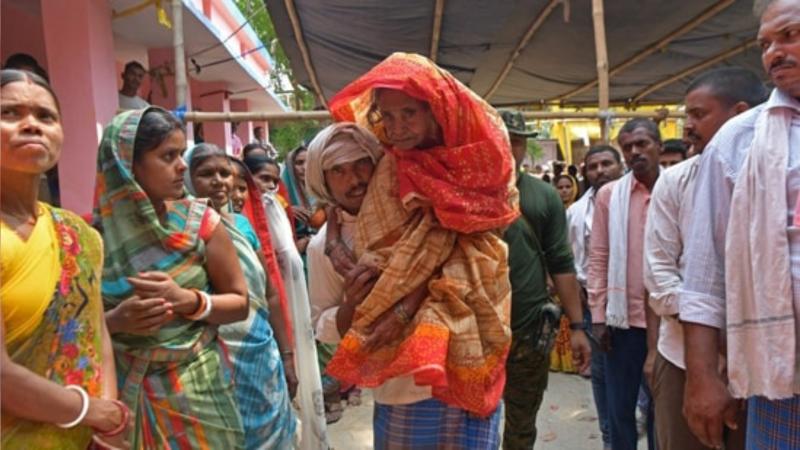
21 32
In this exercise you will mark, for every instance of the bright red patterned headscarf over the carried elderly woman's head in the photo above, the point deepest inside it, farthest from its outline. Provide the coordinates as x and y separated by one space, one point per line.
467 179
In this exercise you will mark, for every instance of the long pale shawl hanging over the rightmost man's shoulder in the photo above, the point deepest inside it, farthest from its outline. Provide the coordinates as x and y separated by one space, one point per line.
758 283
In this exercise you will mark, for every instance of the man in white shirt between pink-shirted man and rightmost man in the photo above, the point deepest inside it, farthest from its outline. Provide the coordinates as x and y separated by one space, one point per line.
711 100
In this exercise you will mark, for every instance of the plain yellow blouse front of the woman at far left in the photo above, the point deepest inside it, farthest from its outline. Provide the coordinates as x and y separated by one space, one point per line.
29 271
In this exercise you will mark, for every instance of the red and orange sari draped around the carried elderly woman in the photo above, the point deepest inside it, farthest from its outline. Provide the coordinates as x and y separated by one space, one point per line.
458 340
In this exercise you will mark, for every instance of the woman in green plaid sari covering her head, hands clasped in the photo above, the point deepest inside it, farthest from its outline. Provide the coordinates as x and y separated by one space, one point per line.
171 277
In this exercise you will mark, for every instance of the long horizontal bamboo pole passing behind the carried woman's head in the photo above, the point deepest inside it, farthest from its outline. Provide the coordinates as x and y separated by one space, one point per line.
198 116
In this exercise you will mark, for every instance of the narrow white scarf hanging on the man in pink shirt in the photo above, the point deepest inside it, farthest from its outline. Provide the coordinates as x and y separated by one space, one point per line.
618 207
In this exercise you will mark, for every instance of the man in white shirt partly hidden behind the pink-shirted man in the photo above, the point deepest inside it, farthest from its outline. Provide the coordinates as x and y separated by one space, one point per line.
602 164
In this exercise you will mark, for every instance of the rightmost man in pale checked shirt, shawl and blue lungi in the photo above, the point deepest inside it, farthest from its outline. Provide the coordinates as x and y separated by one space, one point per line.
752 161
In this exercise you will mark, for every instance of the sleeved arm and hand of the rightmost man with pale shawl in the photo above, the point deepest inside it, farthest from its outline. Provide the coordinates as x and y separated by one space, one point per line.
707 403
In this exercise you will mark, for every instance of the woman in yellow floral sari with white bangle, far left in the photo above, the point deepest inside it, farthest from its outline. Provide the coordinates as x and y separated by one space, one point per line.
57 367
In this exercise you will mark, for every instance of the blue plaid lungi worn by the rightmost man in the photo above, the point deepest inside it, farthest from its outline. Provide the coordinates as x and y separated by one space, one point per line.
773 424
